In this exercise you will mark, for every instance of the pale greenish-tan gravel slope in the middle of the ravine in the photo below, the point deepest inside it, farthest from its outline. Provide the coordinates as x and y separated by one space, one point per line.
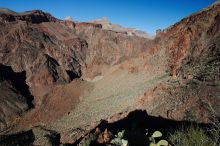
112 94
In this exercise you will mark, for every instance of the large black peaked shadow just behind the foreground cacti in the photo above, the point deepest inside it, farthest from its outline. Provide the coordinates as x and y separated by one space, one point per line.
136 123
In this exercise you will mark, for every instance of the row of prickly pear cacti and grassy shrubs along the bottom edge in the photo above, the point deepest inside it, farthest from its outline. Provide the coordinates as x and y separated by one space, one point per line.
185 136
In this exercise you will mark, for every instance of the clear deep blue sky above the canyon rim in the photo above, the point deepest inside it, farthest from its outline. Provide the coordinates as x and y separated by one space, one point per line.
147 15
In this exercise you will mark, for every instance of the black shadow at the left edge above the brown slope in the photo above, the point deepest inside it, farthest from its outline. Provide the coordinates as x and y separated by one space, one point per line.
18 81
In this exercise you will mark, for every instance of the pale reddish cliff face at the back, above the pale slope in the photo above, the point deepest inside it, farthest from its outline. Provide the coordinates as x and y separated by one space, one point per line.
107 48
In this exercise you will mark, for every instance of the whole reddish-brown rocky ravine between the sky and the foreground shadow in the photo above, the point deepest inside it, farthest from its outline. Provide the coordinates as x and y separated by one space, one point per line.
66 76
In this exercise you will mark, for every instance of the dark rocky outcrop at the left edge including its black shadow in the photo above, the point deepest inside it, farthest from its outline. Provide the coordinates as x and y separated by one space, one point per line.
15 97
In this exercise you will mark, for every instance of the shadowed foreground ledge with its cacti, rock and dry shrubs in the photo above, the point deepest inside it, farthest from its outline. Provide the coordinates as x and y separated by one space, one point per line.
175 134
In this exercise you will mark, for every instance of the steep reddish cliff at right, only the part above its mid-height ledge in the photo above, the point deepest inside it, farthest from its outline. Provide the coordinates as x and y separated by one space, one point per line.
193 45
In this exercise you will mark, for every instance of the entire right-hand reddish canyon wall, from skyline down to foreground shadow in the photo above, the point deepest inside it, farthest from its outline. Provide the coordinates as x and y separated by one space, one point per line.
192 47
